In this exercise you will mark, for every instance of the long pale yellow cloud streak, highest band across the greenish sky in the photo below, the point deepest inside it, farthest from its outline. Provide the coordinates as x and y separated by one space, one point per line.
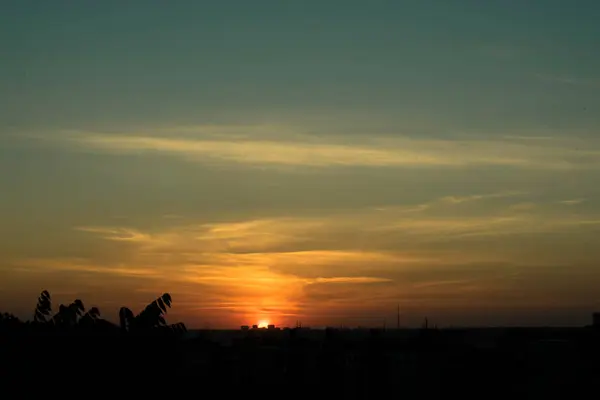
293 149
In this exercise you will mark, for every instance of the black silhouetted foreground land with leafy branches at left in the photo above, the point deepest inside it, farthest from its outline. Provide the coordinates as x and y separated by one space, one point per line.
144 356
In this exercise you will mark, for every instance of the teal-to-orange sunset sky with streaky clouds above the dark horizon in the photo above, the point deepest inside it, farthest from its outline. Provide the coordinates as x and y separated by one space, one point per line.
316 161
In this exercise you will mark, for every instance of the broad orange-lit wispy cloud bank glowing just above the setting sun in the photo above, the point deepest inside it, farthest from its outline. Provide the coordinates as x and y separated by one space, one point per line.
286 266
